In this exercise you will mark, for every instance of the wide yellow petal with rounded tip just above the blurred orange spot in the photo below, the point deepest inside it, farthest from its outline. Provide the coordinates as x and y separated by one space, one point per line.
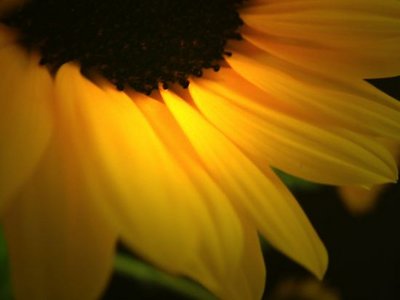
295 146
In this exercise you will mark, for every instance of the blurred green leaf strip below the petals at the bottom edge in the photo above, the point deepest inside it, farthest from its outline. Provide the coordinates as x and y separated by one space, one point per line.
142 271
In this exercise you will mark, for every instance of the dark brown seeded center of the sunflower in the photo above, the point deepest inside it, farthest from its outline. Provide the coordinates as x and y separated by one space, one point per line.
135 43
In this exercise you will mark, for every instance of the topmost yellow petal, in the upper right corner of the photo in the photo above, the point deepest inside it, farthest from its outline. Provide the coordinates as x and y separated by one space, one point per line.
339 23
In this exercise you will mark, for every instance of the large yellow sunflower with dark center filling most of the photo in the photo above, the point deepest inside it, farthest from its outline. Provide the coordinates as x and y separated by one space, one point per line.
158 123
